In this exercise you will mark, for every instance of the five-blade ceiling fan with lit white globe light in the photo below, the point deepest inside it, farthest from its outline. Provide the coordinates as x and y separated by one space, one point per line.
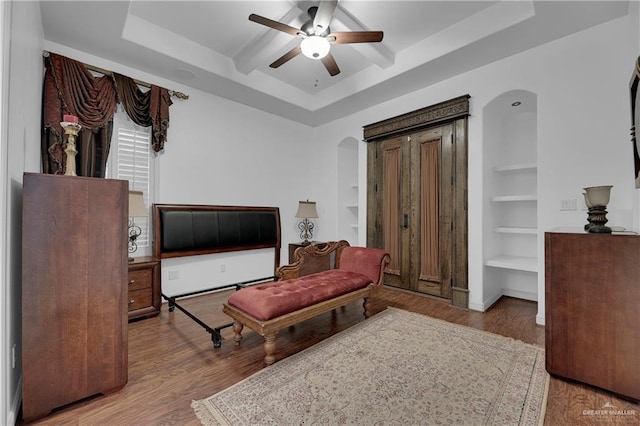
317 36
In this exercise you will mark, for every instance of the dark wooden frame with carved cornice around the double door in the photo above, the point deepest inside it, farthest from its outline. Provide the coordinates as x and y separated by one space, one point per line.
453 111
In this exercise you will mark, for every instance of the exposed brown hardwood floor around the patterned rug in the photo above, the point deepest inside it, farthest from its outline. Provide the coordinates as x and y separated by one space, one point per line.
172 361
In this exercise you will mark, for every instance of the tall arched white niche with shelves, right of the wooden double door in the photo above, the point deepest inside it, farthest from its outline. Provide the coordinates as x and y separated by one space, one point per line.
510 207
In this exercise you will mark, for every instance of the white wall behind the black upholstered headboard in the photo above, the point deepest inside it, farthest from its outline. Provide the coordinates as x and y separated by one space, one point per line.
223 153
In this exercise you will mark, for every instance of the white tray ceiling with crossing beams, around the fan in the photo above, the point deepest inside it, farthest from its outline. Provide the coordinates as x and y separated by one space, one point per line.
212 46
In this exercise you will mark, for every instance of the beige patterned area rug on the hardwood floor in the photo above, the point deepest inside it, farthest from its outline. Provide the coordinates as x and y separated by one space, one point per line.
395 368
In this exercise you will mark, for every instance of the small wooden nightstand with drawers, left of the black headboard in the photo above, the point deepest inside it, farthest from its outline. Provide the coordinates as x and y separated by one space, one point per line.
144 288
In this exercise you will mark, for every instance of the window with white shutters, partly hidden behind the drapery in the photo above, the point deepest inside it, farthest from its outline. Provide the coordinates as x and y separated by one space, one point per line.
131 158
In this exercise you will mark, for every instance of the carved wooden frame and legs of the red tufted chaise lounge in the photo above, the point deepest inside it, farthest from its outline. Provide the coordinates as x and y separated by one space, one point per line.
307 260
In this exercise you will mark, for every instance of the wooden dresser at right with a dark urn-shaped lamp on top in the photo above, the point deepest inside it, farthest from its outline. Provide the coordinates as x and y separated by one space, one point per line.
592 303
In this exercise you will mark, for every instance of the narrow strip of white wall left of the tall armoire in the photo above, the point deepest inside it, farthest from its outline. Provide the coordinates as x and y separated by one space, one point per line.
20 141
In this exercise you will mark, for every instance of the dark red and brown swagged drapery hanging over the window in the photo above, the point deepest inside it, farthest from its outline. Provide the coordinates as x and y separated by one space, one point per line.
70 88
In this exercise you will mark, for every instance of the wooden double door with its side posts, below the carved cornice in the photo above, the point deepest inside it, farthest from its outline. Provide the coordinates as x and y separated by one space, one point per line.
417 209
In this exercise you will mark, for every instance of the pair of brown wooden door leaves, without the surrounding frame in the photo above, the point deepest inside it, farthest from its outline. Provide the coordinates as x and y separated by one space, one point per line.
414 175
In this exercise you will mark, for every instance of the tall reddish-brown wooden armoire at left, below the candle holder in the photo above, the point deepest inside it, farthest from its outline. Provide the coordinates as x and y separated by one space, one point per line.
74 290
